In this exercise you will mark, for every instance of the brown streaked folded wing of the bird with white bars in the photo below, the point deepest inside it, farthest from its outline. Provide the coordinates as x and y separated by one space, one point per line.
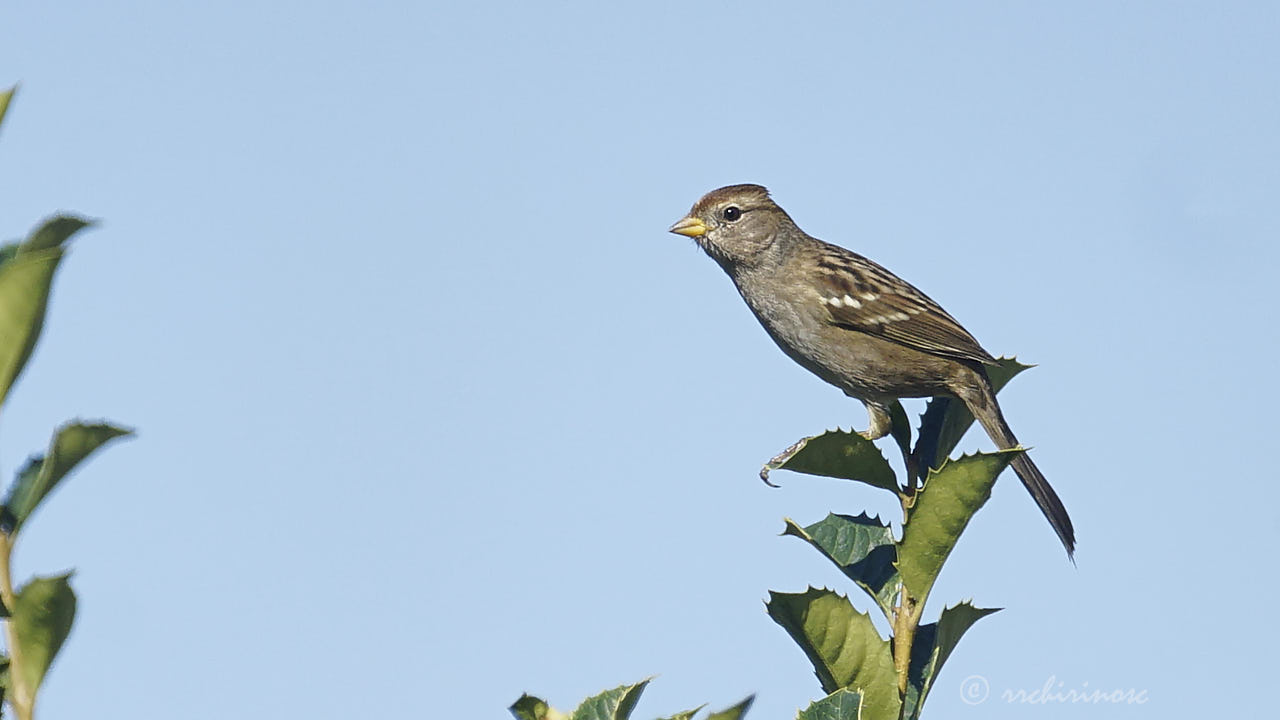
863 297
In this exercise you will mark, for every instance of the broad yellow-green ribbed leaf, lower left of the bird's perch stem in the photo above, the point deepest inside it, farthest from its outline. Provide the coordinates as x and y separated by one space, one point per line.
844 646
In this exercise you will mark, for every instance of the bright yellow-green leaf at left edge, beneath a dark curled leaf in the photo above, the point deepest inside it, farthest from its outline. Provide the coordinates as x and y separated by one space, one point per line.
25 284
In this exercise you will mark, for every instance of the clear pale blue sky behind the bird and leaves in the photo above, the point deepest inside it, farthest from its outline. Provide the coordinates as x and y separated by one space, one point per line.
433 412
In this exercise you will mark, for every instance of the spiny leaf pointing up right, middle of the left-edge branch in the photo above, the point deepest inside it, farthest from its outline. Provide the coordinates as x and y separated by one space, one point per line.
71 445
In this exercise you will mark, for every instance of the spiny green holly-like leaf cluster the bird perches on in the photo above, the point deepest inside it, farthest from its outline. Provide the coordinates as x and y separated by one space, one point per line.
866 675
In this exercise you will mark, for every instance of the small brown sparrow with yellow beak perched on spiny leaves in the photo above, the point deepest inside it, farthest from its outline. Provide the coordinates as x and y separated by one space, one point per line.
854 323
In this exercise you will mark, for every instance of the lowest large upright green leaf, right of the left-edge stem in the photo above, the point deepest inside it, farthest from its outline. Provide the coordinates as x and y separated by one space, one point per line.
43 616
